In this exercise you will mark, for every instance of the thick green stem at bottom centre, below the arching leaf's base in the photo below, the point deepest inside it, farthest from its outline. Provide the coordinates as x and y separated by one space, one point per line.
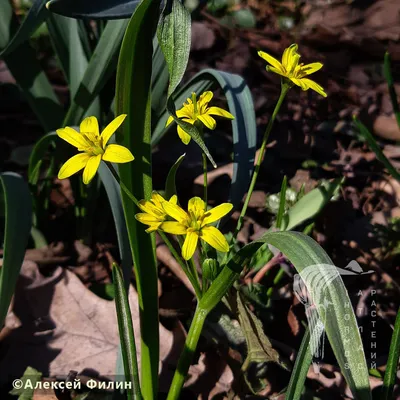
187 355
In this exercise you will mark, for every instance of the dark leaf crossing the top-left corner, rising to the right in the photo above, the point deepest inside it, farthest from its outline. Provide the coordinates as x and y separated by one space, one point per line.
36 16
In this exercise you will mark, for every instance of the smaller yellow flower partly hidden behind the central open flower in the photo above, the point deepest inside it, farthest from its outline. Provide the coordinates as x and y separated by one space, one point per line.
153 212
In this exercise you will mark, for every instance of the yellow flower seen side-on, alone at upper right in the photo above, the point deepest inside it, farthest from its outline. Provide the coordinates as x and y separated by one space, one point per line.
292 70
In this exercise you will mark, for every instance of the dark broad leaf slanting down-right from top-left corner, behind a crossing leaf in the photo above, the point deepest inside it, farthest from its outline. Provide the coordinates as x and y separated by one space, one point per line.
32 80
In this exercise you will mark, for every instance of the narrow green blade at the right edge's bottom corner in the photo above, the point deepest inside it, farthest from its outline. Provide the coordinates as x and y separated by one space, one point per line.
393 361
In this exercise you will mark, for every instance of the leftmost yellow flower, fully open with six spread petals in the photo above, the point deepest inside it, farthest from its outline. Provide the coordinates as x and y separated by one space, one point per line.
93 146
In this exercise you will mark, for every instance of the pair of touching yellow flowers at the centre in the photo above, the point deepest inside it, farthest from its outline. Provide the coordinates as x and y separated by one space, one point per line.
196 223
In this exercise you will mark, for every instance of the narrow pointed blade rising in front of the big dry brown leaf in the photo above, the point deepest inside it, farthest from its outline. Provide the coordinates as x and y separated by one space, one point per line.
126 334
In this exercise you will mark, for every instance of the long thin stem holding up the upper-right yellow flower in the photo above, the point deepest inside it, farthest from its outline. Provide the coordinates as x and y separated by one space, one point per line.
284 90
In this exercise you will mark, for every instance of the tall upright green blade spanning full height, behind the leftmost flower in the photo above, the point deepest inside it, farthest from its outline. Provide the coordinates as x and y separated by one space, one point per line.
134 99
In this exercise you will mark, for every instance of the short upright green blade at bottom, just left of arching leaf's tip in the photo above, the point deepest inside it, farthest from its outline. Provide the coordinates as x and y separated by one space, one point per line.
300 369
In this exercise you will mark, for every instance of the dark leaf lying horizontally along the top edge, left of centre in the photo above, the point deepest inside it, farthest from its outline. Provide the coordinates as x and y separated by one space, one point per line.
94 9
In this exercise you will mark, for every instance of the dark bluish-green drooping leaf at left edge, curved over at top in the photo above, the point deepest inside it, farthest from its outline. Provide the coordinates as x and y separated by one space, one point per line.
18 224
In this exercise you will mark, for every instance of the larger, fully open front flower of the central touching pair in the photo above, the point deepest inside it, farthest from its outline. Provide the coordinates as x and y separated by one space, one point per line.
195 224
